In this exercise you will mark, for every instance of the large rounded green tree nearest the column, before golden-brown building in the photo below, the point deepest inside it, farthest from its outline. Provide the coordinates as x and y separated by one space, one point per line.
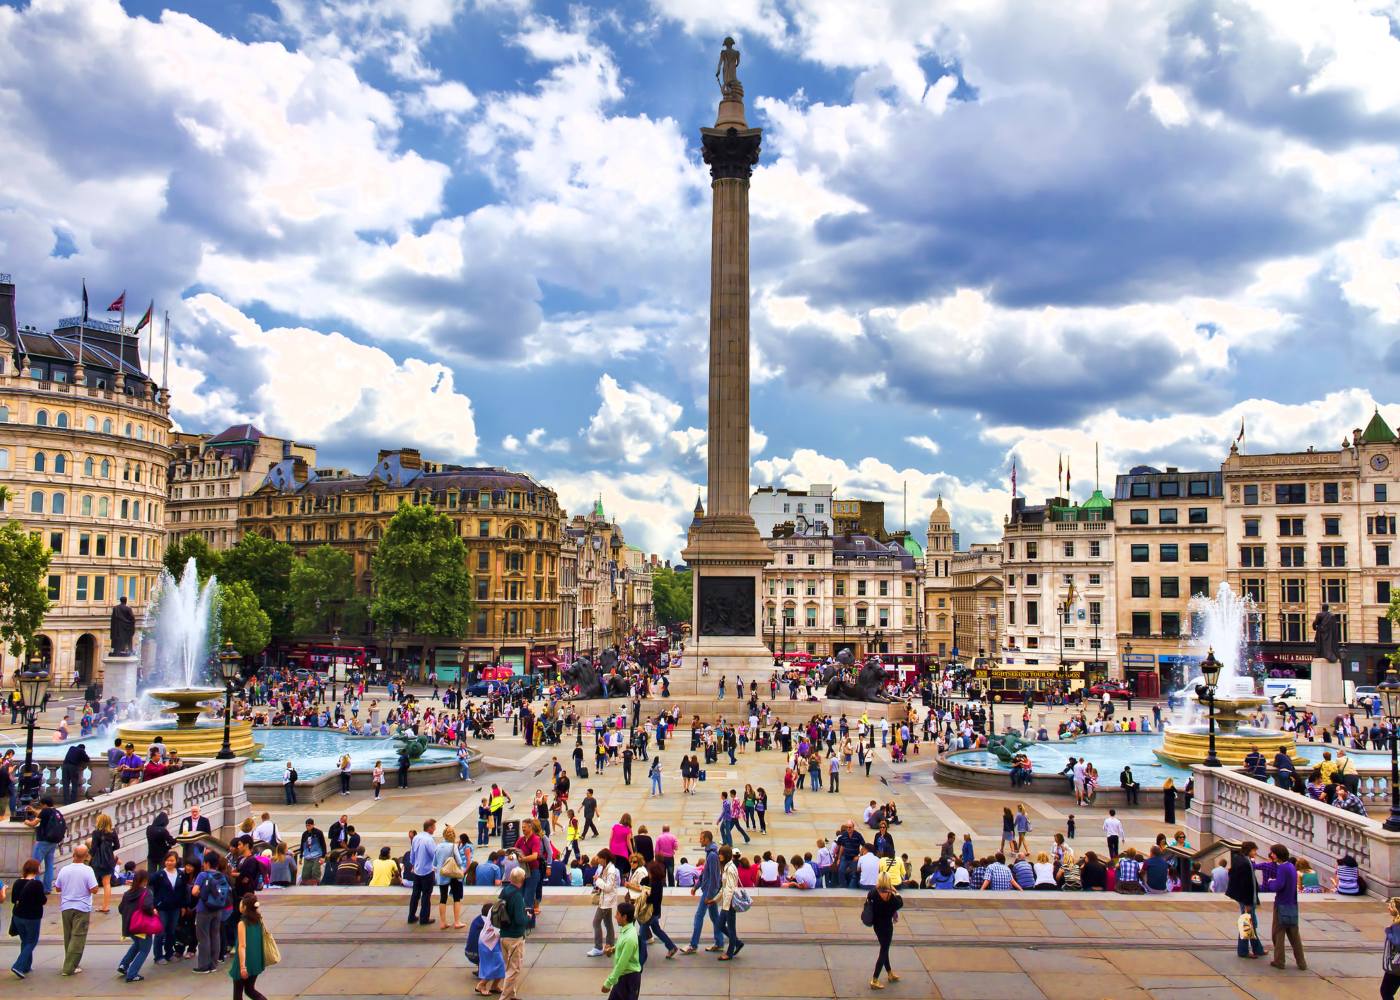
421 576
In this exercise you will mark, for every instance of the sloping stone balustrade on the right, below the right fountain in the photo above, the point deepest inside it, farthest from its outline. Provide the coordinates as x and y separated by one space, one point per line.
1231 806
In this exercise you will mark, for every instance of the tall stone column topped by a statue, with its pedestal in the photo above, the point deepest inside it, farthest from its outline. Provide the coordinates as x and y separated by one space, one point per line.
724 550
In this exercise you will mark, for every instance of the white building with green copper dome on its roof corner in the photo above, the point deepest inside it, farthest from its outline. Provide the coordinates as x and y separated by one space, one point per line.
1059 572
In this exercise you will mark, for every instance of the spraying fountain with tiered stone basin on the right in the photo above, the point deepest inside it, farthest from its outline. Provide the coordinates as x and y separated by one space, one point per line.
1186 739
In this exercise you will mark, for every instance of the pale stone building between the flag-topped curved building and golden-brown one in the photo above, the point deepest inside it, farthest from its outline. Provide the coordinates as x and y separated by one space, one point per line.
211 475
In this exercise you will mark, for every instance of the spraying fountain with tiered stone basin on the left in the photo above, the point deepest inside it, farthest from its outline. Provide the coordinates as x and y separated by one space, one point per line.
181 624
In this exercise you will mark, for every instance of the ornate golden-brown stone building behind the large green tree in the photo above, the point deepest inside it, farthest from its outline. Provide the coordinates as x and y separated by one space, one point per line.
510 523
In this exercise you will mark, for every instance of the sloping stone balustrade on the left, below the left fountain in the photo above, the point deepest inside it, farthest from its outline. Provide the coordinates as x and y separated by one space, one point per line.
215 786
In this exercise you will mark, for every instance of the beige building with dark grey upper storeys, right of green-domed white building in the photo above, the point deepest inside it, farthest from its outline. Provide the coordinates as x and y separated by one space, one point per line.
1170 547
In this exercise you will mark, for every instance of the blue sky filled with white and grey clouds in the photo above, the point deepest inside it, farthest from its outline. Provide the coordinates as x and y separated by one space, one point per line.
982 229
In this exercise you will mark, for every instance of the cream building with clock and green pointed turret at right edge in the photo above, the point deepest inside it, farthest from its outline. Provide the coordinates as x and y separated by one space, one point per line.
1311 529
